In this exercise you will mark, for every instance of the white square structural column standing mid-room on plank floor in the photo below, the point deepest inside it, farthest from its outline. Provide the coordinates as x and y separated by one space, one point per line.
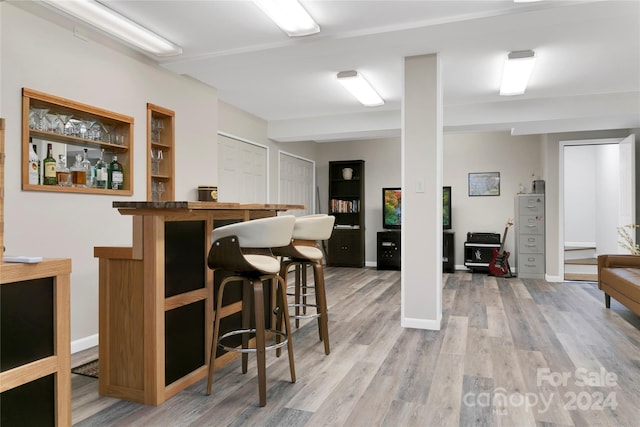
422 193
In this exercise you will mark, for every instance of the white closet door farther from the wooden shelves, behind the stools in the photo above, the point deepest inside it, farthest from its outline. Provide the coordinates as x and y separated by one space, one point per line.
297 182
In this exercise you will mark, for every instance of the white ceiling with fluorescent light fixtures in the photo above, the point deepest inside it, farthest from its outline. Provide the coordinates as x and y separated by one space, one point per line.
587 75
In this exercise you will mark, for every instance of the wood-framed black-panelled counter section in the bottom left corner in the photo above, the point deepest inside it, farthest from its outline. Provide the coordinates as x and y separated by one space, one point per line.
35 355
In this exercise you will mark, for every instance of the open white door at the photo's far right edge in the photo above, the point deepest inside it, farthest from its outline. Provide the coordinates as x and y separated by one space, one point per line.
627 207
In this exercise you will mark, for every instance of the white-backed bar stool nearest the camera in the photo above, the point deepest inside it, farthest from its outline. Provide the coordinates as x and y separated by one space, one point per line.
244 249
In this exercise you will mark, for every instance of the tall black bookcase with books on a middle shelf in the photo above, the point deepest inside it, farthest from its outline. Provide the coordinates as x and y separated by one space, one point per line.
346 203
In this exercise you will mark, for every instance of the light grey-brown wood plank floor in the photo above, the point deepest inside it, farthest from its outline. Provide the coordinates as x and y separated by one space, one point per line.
511 352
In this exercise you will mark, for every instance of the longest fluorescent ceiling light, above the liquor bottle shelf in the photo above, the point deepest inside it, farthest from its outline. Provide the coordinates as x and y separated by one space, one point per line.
117 25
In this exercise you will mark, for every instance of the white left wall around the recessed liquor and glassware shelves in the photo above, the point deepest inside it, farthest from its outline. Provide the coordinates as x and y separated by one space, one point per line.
40 55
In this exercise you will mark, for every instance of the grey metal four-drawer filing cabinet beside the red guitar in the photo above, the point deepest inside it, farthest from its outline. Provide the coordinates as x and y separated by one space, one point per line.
530 236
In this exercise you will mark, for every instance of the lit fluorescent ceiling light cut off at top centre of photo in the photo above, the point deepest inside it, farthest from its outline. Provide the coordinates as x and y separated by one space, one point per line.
290 16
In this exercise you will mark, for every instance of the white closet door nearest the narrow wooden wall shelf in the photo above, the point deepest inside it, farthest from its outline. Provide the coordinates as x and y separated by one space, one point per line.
242 169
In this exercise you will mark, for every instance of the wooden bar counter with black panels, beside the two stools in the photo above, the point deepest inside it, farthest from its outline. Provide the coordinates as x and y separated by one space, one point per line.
156 297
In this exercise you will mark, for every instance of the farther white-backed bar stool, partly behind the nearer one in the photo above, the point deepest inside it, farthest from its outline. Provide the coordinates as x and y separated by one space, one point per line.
302 252
